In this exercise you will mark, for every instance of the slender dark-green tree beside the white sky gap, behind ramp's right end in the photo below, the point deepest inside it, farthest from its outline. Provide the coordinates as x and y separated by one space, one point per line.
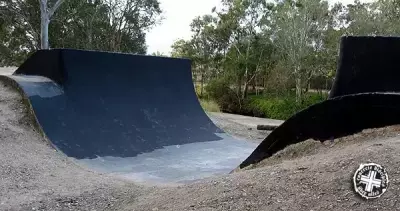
238 30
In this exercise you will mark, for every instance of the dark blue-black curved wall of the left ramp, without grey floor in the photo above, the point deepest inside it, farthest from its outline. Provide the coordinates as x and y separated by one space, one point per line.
108 104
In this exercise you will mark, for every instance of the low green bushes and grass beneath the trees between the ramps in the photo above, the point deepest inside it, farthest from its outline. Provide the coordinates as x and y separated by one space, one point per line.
260 104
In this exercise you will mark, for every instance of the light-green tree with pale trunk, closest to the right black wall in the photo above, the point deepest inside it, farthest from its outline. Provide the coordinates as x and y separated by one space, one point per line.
298 26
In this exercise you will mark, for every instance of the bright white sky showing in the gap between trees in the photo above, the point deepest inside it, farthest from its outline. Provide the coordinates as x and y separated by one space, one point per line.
178 14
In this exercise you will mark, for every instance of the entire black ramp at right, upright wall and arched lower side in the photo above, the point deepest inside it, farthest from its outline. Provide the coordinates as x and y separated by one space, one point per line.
365 94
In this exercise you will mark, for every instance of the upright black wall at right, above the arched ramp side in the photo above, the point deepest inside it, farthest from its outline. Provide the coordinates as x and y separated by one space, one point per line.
366 65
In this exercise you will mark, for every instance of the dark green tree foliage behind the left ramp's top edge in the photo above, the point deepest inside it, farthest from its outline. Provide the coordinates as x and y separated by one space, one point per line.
118 26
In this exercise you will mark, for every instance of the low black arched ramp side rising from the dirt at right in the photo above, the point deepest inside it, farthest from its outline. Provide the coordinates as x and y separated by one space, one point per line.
289 133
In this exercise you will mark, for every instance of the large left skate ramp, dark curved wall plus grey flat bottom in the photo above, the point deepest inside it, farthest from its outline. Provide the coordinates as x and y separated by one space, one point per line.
132 115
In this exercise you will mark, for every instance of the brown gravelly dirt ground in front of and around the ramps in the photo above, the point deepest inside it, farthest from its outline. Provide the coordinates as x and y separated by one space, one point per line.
307 176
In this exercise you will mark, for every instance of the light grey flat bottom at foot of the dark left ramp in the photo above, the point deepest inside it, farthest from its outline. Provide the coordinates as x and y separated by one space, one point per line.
177 163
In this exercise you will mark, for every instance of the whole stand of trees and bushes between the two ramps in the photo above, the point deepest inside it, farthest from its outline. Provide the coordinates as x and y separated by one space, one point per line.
269 58
